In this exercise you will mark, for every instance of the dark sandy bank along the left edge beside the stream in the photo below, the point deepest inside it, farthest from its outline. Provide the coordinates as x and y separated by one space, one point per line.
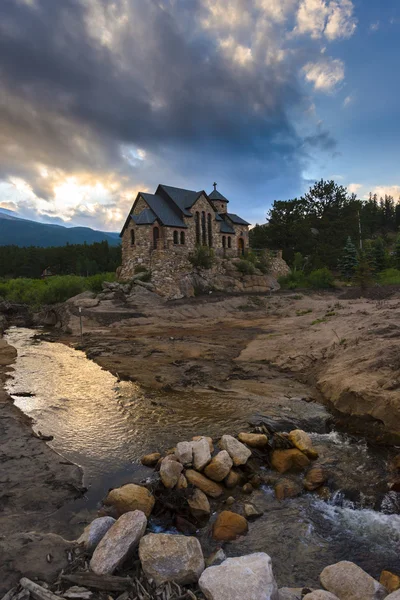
35 481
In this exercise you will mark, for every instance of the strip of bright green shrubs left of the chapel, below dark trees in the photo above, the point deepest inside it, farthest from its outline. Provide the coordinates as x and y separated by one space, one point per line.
38 292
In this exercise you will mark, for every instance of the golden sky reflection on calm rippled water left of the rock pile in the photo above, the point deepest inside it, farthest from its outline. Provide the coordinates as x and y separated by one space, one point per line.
101 423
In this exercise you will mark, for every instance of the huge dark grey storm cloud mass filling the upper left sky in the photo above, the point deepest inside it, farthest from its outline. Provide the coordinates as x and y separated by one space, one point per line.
73 93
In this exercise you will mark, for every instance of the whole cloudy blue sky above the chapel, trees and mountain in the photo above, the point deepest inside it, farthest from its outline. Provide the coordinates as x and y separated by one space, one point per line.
100 99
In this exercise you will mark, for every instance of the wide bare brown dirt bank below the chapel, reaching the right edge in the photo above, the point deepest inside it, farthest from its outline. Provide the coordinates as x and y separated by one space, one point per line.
346 348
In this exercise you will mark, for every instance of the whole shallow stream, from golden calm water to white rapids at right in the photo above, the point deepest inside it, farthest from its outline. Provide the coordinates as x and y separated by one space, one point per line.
106 425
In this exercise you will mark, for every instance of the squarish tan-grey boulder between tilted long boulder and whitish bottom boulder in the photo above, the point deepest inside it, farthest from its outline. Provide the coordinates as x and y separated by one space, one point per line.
167 557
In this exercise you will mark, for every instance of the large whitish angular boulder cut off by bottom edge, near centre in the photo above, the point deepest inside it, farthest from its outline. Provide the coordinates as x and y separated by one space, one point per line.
244 578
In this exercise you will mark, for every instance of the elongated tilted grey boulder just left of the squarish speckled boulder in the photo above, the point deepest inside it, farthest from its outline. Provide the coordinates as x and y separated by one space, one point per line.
118 543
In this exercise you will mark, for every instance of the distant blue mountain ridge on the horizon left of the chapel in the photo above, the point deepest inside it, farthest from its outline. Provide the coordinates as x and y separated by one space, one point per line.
22 232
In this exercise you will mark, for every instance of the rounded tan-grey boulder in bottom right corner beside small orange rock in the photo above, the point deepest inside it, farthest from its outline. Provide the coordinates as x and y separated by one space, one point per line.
349 582
